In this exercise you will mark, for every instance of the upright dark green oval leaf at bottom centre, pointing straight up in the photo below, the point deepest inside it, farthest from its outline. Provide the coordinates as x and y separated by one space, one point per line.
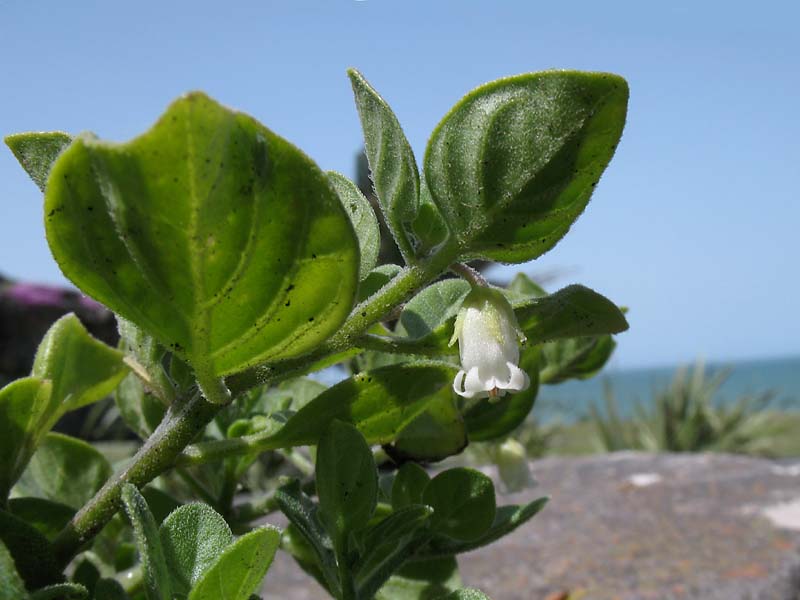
347 481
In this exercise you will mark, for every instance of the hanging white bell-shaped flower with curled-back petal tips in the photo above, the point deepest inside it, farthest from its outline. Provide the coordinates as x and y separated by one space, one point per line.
488 341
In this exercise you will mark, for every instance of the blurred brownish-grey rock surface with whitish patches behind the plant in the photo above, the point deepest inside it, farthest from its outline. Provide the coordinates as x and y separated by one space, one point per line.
631 526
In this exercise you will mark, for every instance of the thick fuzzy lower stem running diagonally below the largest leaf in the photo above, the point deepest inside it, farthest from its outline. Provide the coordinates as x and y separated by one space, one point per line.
181 425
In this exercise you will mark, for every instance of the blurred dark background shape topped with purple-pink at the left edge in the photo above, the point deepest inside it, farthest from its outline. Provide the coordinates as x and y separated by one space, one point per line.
26 312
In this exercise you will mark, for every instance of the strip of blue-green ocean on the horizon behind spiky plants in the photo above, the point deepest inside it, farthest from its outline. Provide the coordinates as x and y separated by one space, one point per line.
569 401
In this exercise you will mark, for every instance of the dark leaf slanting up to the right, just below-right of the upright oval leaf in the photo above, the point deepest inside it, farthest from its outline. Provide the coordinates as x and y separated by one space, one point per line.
388 545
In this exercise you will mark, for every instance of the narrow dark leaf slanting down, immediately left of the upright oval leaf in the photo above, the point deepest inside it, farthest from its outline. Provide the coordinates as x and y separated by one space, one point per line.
304 516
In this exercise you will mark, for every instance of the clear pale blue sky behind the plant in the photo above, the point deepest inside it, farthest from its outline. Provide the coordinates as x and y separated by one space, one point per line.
693 226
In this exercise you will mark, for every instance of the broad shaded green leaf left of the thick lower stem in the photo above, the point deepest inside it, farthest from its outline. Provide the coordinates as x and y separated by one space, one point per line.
66 470
